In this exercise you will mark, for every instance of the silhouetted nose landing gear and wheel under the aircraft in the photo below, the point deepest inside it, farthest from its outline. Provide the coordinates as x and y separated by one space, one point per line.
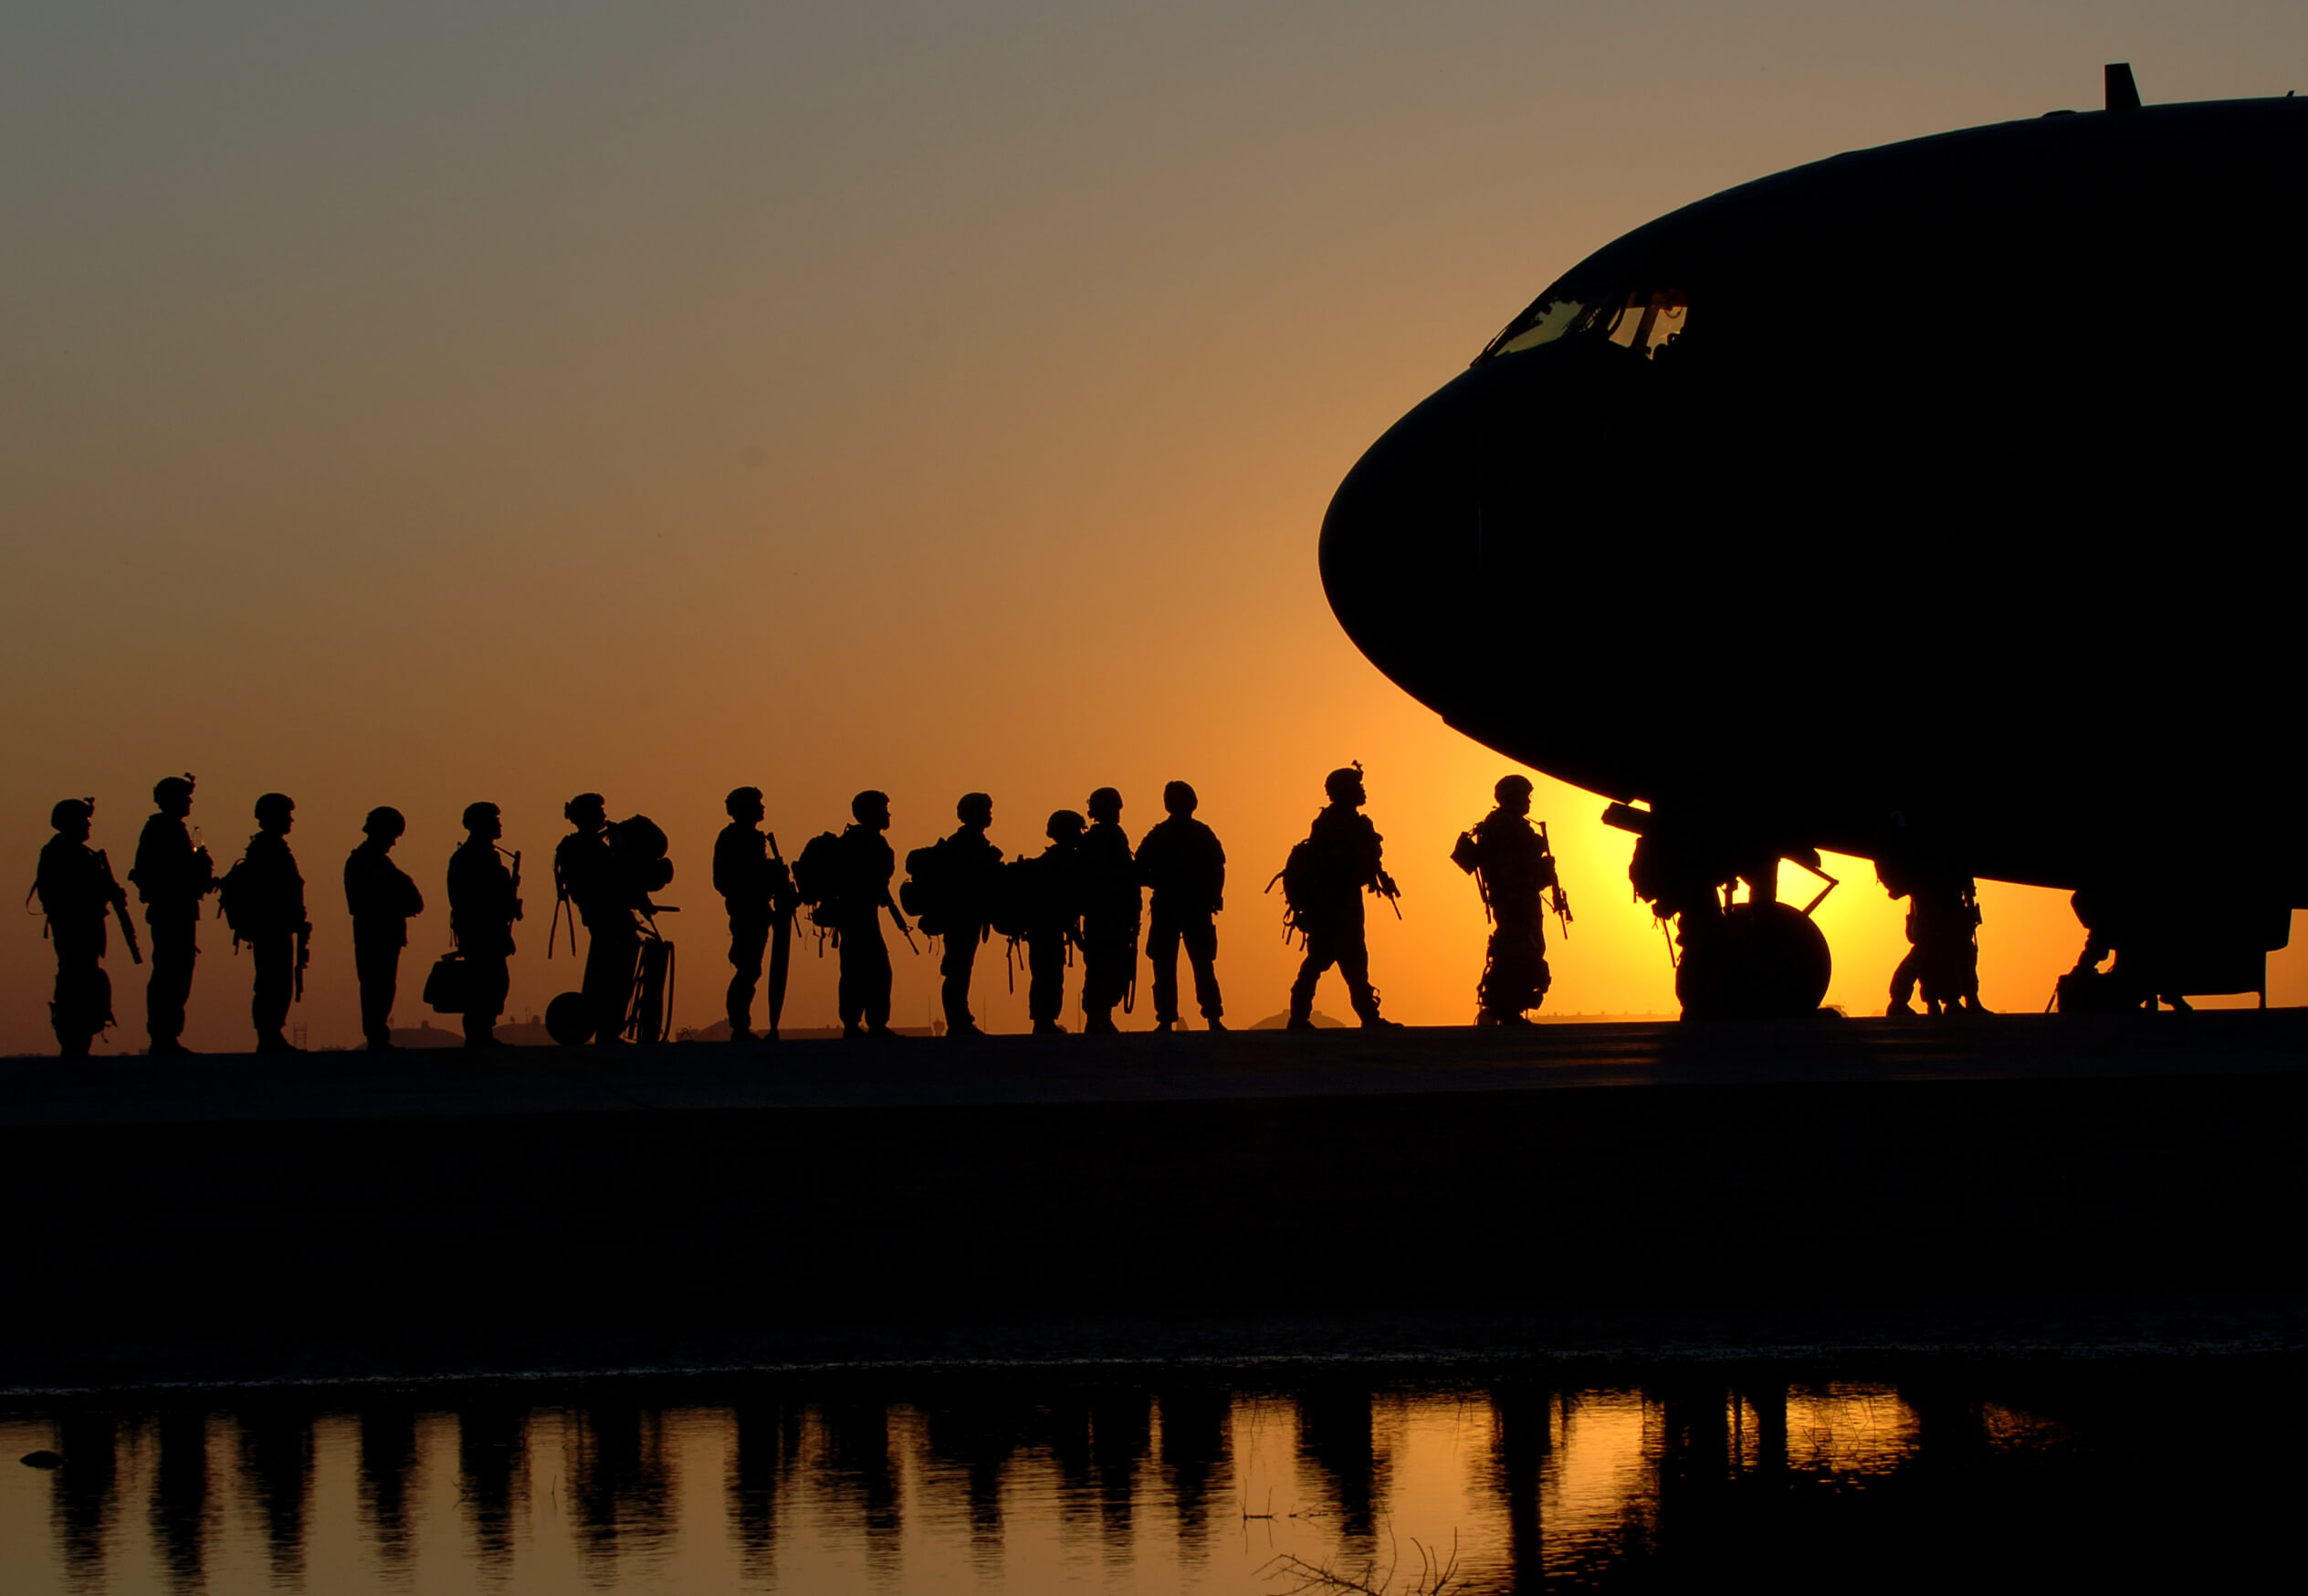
1755 960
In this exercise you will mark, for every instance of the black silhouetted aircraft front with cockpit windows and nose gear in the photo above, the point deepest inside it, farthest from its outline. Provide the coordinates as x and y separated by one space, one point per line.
1919 502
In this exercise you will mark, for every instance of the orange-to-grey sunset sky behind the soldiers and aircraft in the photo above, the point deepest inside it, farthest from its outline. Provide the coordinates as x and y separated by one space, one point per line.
410 405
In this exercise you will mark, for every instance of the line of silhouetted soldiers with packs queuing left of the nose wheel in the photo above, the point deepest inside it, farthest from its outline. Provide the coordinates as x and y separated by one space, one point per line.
1081 895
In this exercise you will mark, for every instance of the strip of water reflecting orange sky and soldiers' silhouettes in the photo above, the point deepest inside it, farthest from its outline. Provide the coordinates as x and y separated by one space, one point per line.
1693 1477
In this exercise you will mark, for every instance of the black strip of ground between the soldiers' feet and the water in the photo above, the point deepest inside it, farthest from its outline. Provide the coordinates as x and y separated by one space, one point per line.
1944 1188
